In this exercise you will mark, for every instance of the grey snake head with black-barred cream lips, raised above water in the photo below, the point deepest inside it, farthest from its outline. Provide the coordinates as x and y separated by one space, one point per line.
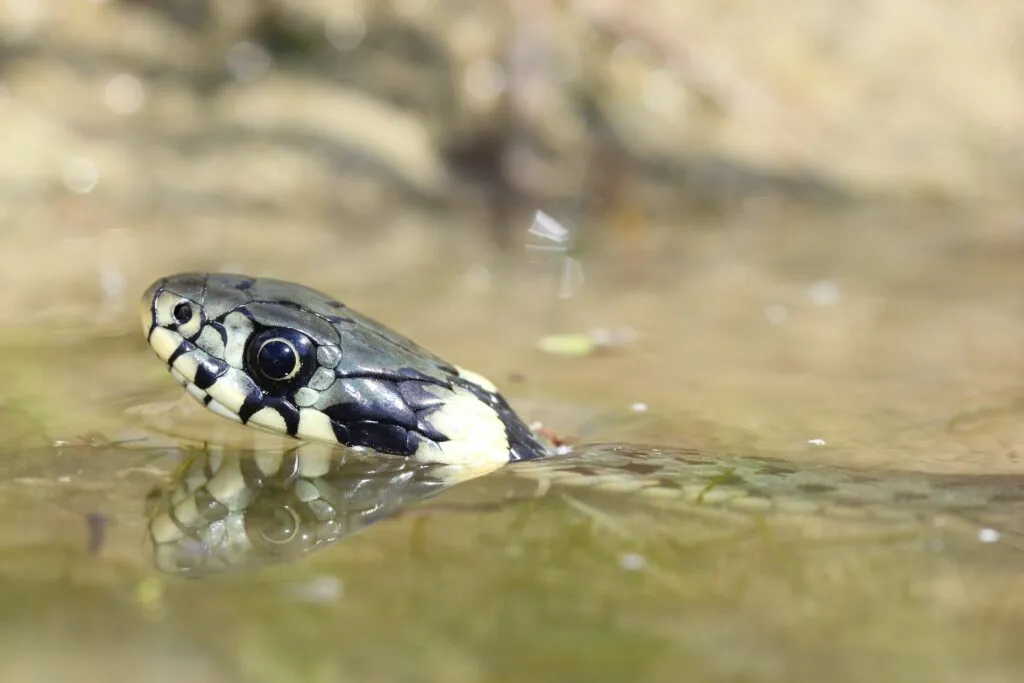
293 361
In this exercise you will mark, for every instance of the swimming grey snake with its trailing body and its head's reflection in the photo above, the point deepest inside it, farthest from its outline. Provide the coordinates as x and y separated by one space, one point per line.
379 421
